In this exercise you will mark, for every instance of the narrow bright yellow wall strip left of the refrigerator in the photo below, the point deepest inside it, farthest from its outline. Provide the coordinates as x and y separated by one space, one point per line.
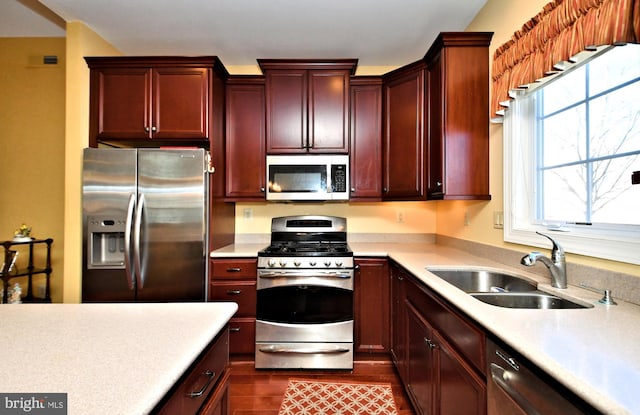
81 42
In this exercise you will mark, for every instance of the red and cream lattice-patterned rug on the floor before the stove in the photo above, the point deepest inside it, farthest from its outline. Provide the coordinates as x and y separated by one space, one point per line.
311 397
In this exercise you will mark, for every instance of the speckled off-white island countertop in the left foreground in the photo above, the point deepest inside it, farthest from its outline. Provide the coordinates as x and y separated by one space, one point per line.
108 358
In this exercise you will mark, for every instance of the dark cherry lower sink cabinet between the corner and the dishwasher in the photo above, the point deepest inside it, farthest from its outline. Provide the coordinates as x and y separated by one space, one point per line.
437 351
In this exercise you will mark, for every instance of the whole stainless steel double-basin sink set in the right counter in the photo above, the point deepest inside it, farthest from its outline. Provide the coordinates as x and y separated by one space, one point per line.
504 290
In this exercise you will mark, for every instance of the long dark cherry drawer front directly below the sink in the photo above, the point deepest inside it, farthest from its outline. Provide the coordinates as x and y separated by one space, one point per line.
467 339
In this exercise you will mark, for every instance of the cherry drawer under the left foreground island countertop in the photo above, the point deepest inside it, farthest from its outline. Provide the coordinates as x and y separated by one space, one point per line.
192 391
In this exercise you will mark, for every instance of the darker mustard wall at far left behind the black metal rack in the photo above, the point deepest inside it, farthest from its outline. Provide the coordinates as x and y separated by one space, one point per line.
32 97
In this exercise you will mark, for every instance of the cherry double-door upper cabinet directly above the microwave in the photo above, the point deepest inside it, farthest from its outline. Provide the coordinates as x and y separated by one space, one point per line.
307 105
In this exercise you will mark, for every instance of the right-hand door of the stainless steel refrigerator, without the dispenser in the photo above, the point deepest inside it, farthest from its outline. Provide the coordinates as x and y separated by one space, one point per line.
172 225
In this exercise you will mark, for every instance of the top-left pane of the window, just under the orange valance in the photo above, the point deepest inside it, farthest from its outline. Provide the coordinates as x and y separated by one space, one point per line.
566 90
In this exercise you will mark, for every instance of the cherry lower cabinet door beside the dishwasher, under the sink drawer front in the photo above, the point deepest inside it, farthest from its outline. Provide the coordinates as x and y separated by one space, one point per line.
461 391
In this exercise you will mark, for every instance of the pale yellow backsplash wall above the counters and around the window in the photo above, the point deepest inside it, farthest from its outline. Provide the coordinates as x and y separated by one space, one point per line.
503 17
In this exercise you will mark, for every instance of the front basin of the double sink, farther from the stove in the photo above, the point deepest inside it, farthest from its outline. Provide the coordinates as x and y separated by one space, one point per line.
528 300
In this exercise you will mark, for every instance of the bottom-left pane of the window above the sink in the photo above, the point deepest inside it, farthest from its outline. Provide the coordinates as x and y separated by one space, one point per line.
564 194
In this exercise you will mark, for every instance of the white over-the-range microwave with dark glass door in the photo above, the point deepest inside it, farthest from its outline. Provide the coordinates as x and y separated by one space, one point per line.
307 177
